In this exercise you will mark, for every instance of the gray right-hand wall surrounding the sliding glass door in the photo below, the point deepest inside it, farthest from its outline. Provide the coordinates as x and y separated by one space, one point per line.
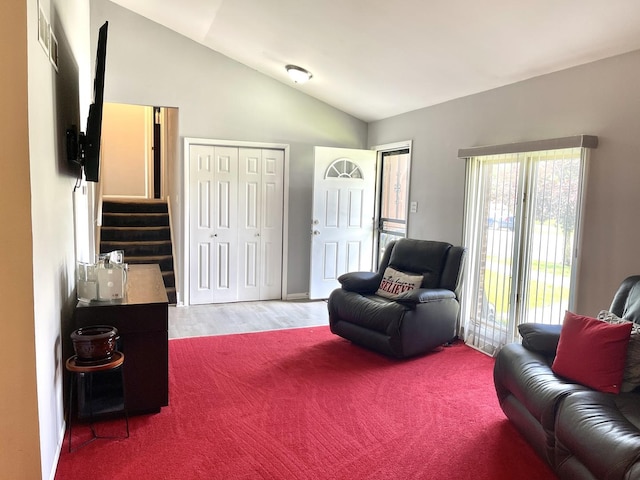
601 98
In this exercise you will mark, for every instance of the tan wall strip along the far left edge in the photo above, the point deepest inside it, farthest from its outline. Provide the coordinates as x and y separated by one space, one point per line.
19 441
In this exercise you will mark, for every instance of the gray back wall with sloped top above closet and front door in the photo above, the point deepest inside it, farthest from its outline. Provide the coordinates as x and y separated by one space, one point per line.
219 98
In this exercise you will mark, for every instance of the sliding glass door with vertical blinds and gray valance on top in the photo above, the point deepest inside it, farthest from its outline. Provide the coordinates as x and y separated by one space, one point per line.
522 219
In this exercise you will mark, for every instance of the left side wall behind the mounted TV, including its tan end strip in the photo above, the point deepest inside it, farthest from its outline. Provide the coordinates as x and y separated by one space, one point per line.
39 218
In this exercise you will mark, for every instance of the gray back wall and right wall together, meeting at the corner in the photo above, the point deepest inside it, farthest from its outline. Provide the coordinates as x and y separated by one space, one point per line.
220 98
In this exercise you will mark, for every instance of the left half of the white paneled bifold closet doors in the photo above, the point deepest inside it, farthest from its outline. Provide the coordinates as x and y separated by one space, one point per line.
213 210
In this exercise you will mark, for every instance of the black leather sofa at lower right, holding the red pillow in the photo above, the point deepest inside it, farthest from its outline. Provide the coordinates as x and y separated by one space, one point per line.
581 433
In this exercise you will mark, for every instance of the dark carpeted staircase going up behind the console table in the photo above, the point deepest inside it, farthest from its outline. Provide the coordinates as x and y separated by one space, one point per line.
142 230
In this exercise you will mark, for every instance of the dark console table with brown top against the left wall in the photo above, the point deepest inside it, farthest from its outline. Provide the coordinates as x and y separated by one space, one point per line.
141 318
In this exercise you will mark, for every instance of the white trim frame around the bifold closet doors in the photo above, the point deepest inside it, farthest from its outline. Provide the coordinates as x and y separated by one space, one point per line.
188 141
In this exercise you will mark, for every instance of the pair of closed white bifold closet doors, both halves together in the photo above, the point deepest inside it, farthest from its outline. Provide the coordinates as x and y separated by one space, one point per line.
236 221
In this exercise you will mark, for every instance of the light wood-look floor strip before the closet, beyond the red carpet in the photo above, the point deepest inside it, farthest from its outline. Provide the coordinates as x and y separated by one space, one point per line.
242 317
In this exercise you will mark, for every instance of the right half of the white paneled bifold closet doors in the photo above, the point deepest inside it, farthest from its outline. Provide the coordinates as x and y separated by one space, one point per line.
260 209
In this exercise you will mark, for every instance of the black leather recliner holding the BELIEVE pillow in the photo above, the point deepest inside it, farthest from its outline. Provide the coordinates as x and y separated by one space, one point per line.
416 321
